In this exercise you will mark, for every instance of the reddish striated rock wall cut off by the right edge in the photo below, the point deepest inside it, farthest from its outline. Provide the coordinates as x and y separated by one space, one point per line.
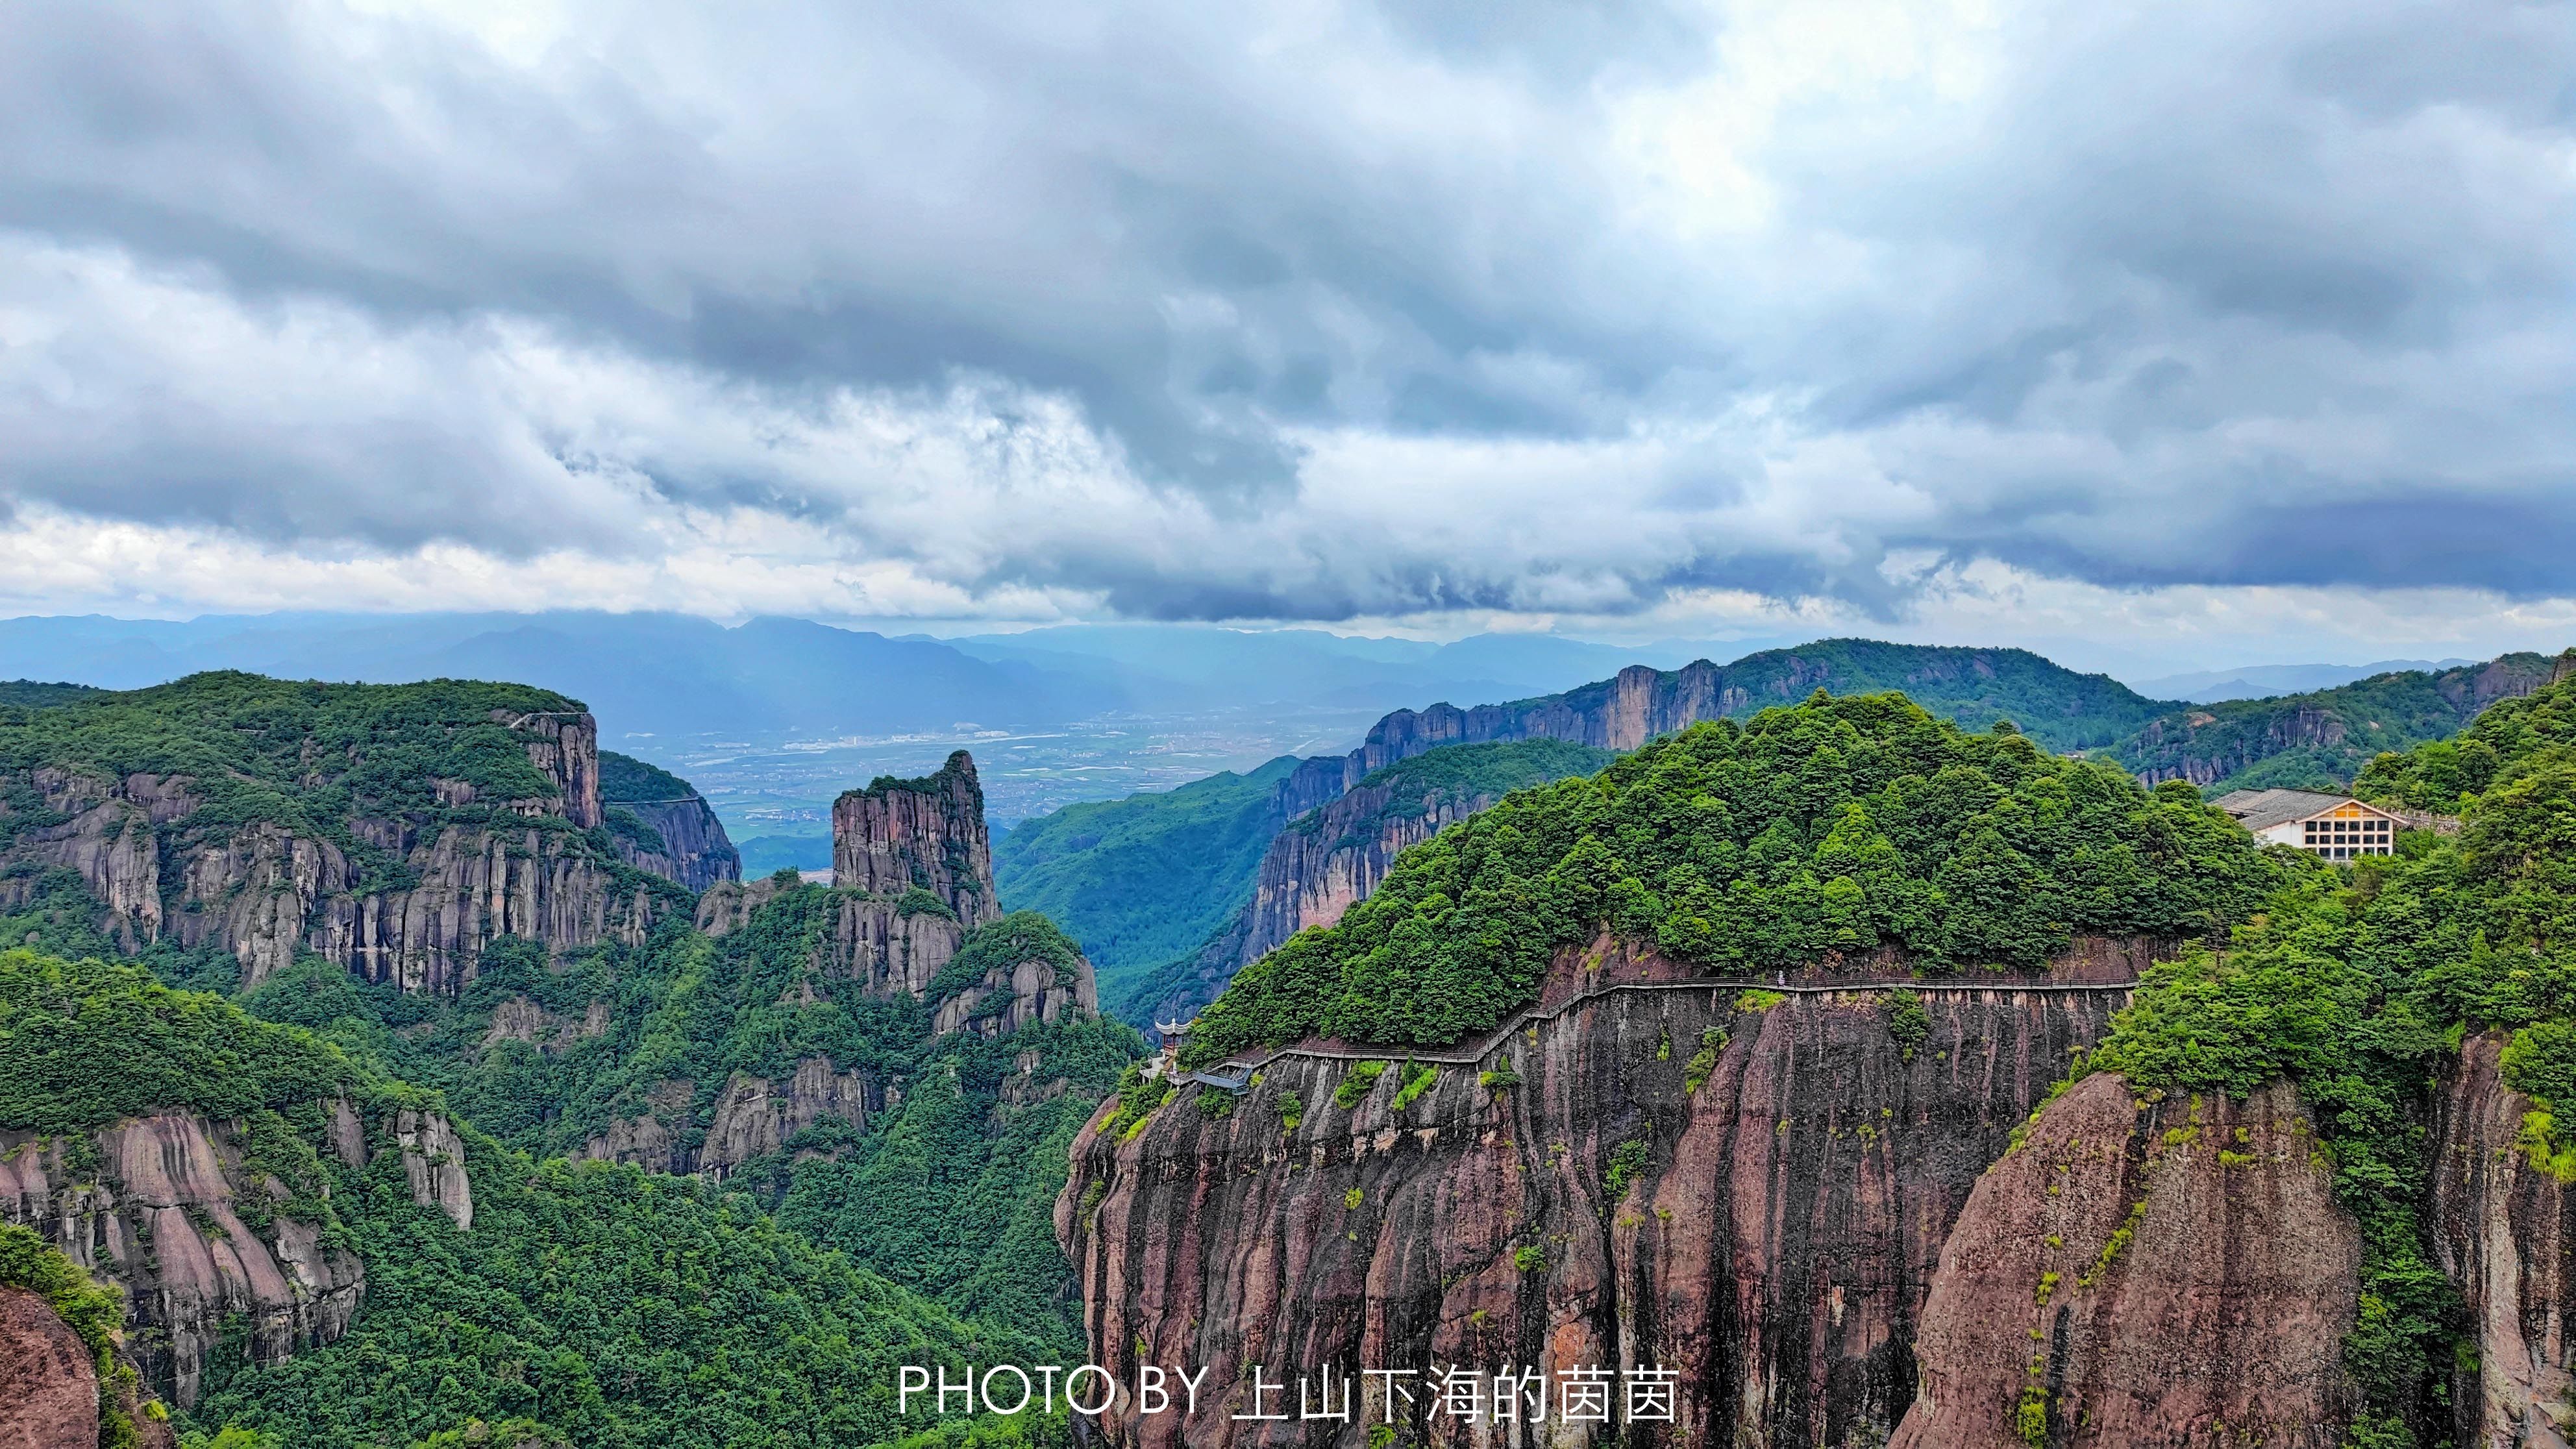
2505 1231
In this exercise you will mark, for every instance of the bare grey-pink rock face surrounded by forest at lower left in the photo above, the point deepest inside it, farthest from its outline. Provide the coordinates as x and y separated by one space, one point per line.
166 1208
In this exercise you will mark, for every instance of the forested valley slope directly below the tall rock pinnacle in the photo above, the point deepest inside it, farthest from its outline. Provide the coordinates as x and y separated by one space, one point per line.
699 1015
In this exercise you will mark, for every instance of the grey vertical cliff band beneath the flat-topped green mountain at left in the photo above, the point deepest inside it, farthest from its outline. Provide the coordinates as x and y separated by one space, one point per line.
264 891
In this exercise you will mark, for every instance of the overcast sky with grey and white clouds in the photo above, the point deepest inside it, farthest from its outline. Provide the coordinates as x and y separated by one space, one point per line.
2147 334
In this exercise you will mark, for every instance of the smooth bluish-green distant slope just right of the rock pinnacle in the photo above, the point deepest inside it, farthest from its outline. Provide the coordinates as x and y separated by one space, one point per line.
1142 880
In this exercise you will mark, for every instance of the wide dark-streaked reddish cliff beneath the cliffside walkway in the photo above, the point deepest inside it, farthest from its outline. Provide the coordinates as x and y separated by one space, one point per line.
1756 1198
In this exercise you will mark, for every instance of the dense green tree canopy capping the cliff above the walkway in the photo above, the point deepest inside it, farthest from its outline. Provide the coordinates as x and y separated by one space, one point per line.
1830 826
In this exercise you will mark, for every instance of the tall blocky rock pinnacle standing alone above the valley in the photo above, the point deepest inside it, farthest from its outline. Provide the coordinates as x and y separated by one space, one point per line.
918 834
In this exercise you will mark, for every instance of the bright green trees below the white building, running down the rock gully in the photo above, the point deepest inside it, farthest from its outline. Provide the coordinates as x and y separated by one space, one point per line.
2356 981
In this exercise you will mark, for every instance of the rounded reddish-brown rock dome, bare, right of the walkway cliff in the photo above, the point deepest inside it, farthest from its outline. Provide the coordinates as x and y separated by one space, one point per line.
2168 1272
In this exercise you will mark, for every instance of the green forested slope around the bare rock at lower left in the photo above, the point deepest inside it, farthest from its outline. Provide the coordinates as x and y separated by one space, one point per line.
599 1301
